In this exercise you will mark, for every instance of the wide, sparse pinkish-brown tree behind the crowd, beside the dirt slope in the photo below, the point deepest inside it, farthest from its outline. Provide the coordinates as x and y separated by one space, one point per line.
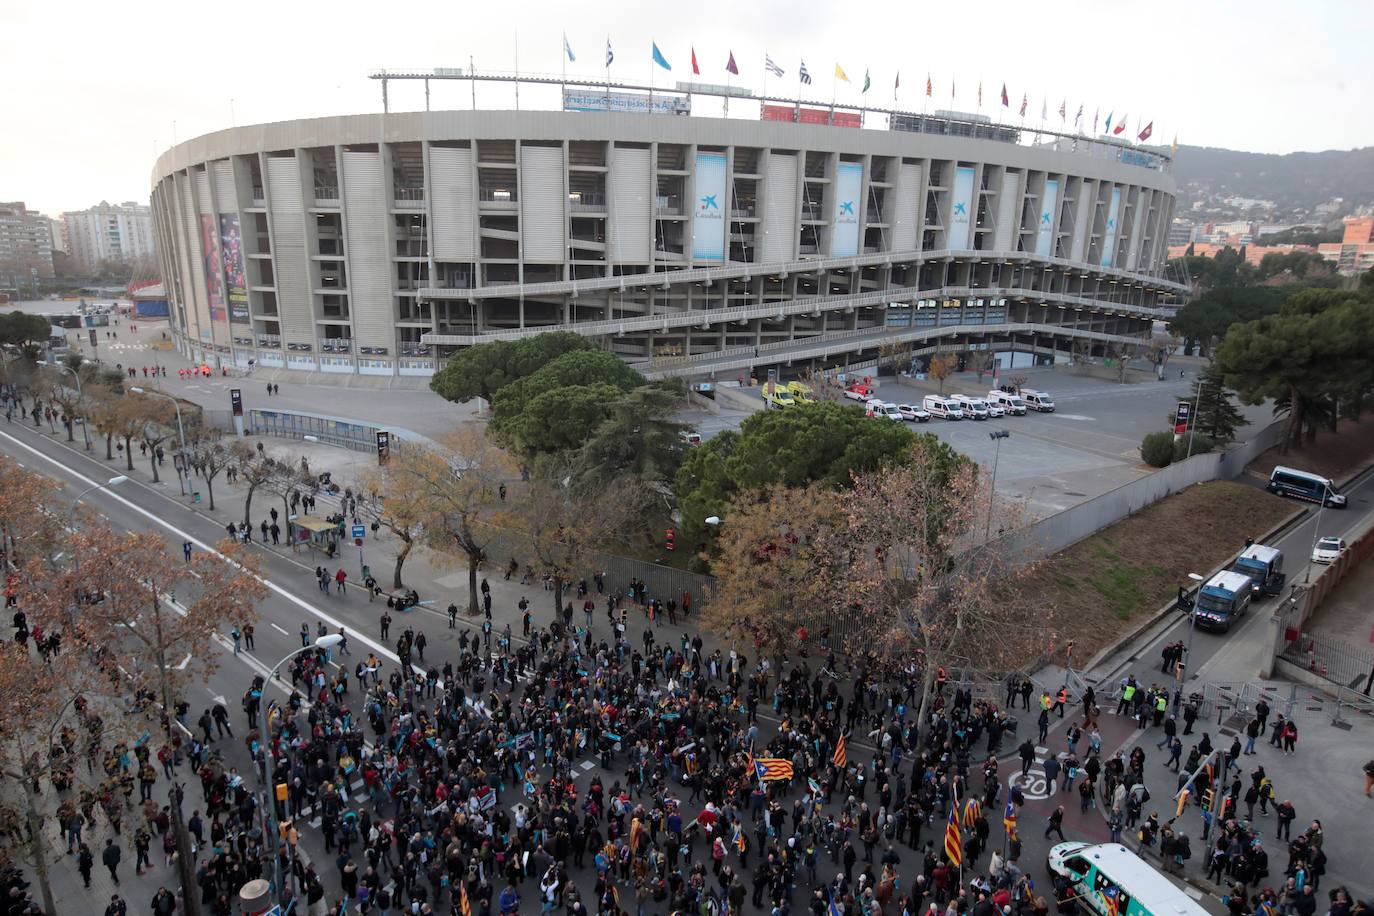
931 587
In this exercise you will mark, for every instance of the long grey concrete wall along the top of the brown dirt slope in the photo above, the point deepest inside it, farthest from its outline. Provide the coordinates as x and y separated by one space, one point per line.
1053 535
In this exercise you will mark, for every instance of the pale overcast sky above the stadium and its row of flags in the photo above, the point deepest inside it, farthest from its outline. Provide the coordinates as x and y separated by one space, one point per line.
91 89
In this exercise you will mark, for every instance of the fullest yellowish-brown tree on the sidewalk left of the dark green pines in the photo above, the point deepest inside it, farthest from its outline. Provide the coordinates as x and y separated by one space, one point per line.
457 491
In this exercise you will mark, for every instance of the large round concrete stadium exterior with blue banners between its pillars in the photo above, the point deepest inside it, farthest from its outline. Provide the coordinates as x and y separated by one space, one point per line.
379 245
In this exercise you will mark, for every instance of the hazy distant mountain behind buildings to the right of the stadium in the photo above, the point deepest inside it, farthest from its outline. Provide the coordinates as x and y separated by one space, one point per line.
1296 182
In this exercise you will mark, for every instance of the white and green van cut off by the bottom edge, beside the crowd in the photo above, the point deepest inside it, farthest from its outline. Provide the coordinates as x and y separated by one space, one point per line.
1114 881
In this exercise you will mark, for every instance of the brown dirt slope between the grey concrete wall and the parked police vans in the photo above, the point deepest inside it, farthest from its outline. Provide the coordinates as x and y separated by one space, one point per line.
1107 584
